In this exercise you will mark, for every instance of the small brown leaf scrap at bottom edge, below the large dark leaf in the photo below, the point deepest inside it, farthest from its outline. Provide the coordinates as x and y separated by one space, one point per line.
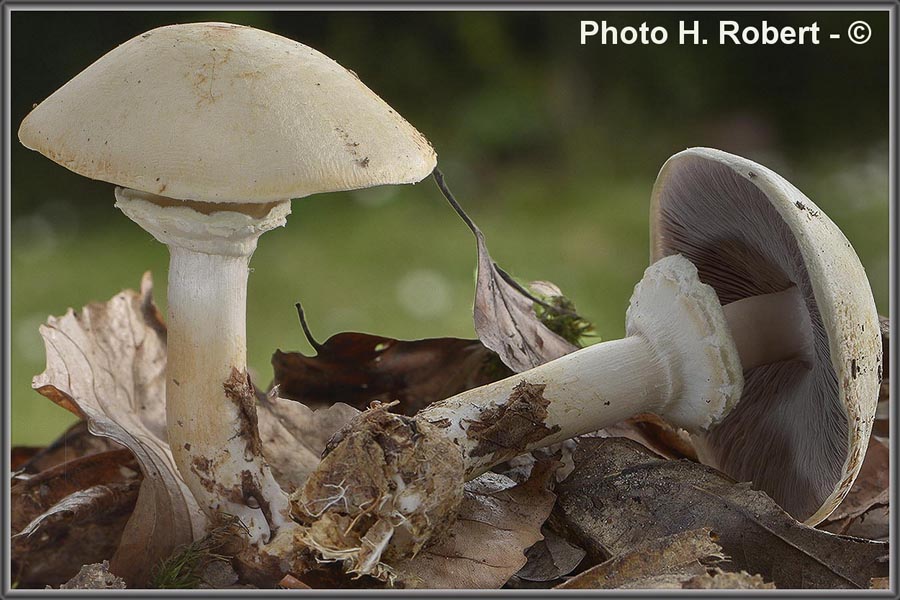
677 558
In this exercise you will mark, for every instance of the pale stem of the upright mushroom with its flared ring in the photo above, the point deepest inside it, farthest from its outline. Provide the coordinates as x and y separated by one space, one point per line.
210 402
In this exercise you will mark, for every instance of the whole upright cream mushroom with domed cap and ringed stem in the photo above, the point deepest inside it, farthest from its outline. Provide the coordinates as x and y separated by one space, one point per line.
210 129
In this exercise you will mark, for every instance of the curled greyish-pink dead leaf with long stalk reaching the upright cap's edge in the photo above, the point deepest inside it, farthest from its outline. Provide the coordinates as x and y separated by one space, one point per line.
505 320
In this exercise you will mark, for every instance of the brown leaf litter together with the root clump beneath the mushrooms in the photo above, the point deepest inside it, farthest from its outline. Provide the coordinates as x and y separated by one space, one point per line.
629 514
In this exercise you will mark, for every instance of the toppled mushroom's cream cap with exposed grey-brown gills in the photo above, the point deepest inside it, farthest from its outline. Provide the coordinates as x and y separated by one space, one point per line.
800 430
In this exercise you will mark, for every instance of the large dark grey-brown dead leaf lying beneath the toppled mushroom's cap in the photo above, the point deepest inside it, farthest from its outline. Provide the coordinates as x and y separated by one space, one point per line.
620 495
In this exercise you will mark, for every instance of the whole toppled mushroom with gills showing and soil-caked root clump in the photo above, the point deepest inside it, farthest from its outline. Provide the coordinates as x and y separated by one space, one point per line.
787 322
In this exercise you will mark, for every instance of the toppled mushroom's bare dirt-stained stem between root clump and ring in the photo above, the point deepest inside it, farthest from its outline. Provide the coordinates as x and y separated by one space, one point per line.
580 392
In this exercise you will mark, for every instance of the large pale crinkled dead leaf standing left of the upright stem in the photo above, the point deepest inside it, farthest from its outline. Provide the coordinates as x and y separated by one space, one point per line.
107 364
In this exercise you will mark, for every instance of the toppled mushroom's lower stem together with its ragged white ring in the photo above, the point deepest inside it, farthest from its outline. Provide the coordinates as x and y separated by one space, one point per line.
678 361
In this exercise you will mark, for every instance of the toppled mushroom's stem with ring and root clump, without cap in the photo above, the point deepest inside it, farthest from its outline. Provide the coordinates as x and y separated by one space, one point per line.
678 360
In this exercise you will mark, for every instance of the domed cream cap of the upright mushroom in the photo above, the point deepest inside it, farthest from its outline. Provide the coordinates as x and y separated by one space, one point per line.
217 112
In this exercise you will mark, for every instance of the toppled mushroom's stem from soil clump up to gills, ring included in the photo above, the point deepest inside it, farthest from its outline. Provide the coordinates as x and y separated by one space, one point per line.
603 384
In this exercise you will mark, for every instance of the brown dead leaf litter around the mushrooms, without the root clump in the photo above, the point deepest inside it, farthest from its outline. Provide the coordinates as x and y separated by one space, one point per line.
638 513
